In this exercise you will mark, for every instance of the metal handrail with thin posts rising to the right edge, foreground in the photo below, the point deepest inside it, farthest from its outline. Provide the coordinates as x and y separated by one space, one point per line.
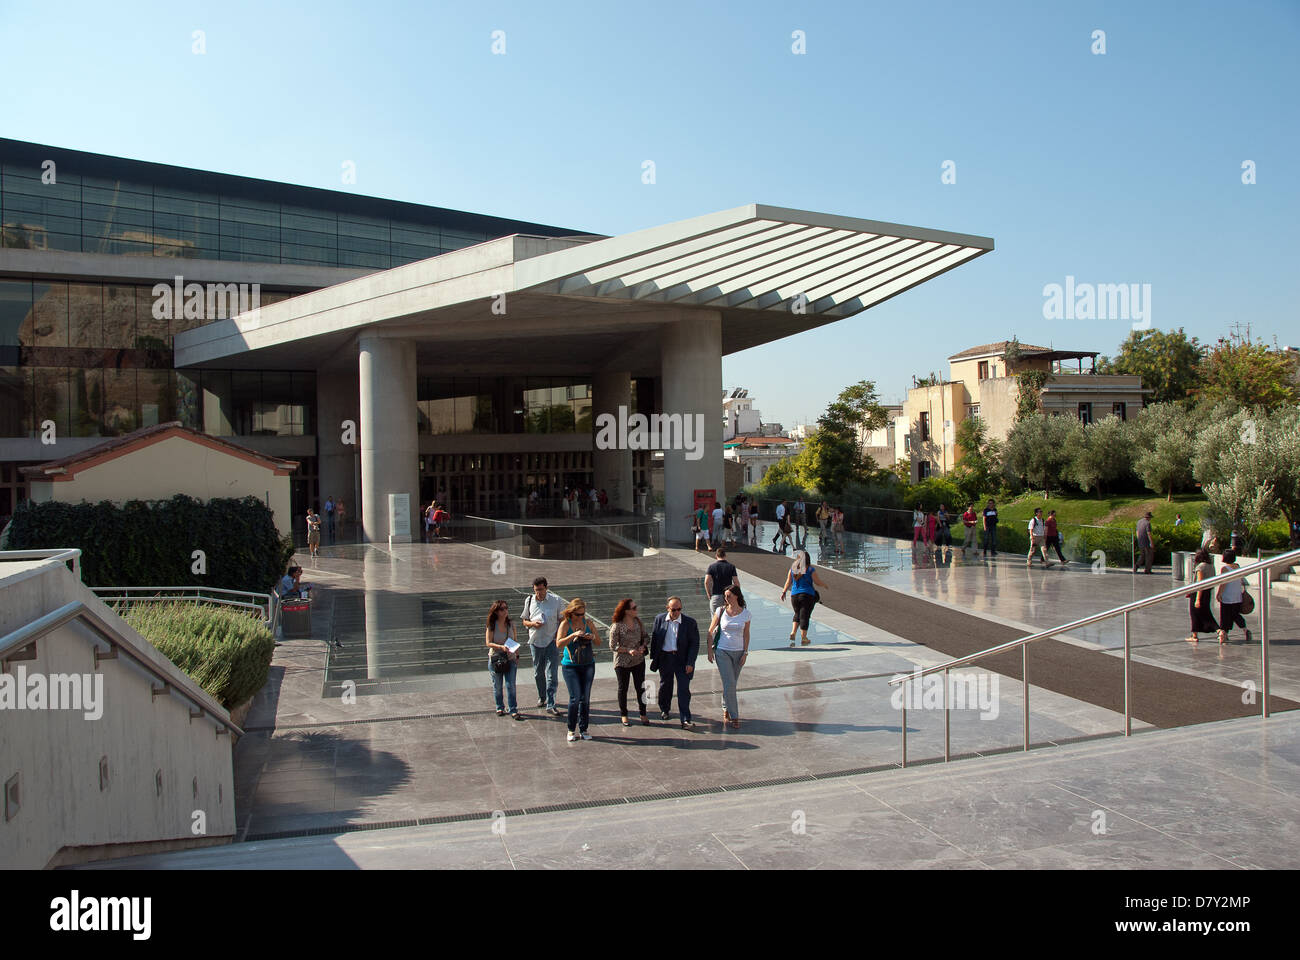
1264 568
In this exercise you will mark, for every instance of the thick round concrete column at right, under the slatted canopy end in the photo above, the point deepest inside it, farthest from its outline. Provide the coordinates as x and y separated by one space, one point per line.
692 371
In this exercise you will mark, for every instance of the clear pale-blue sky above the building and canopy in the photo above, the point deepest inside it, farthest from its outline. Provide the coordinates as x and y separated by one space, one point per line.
1116 168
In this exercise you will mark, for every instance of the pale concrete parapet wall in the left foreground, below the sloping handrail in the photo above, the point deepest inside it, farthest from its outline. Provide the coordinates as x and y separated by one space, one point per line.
57 754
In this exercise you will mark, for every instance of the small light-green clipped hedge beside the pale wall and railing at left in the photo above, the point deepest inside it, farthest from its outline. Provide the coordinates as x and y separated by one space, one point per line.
224 651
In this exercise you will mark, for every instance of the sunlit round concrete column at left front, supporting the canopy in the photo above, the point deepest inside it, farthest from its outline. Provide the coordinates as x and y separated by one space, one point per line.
391 448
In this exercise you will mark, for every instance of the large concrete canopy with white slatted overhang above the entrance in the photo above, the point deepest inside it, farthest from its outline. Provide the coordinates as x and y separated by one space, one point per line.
770 273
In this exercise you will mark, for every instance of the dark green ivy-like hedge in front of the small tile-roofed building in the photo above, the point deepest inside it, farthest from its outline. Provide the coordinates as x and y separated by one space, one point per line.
144 544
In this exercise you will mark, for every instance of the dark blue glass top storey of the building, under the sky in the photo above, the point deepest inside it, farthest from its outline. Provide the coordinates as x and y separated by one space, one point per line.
99 205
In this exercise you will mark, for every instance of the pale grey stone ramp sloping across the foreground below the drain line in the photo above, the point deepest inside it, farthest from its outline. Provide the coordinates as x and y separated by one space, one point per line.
1138 803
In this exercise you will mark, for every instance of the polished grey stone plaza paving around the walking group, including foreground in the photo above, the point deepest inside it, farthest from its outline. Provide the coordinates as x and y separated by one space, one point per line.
423 759
